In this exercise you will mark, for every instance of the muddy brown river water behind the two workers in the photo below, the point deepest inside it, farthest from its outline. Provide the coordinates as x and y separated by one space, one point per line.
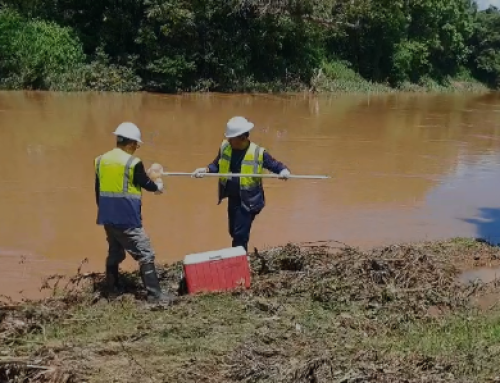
403 168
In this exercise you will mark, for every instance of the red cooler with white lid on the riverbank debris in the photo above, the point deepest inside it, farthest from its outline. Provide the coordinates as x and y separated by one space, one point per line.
217 270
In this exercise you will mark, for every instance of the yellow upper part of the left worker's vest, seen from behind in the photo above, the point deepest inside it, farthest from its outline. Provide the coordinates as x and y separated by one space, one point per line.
115 171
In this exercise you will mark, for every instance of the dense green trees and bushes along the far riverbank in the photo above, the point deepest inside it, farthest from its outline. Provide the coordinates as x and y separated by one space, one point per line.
242 45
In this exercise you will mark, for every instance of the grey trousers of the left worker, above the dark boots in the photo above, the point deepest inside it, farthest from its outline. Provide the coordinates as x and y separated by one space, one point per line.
133 241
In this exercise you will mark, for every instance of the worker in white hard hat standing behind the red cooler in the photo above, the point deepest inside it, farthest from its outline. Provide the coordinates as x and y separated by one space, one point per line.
237 154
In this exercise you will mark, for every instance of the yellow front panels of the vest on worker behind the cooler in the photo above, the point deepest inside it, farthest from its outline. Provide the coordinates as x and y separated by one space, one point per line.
252 163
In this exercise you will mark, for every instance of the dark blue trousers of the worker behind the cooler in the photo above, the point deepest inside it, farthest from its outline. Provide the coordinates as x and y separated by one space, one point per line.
240 222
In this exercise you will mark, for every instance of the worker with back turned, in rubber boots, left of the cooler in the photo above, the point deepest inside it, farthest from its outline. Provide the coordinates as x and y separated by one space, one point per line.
120 178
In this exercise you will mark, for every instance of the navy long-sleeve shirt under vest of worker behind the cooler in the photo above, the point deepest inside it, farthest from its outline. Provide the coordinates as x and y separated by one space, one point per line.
233 185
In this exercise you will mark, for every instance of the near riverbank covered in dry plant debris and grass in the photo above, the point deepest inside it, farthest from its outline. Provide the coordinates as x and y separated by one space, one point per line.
315 313
